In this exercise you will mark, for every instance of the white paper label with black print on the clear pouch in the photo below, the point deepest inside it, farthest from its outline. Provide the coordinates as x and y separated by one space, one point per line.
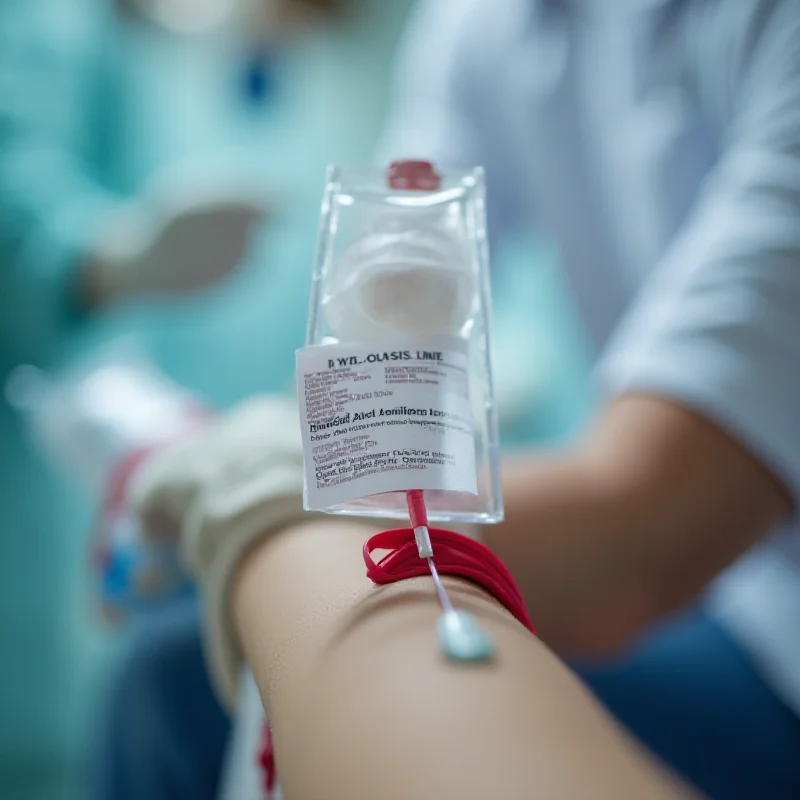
385 417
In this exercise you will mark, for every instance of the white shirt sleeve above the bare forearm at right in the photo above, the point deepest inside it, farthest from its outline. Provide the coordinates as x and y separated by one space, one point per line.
717 326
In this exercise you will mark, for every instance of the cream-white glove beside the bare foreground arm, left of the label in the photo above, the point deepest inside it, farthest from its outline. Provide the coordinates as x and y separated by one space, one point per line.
223 489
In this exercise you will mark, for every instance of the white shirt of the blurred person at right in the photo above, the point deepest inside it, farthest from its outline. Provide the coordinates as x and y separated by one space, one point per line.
659 142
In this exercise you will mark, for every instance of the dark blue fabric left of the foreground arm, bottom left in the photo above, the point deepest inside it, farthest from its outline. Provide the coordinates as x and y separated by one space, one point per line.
164 734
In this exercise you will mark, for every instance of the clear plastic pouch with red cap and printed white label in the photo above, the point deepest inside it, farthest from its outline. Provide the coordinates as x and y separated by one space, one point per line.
395 382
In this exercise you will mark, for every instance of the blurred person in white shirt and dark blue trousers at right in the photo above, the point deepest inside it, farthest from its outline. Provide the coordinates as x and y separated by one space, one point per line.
658 142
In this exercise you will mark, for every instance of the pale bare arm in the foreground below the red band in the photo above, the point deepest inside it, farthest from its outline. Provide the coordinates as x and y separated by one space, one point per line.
362 705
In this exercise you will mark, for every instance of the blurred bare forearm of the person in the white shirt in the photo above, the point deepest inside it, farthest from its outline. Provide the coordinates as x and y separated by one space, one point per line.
633 524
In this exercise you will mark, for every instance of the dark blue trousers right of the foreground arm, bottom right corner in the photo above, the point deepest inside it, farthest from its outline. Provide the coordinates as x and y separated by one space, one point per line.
692 695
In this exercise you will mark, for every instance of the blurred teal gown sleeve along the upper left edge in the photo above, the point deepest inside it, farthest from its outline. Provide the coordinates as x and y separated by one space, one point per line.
50 205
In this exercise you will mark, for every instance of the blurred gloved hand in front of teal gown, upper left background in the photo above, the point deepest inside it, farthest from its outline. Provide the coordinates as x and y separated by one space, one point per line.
188 229
